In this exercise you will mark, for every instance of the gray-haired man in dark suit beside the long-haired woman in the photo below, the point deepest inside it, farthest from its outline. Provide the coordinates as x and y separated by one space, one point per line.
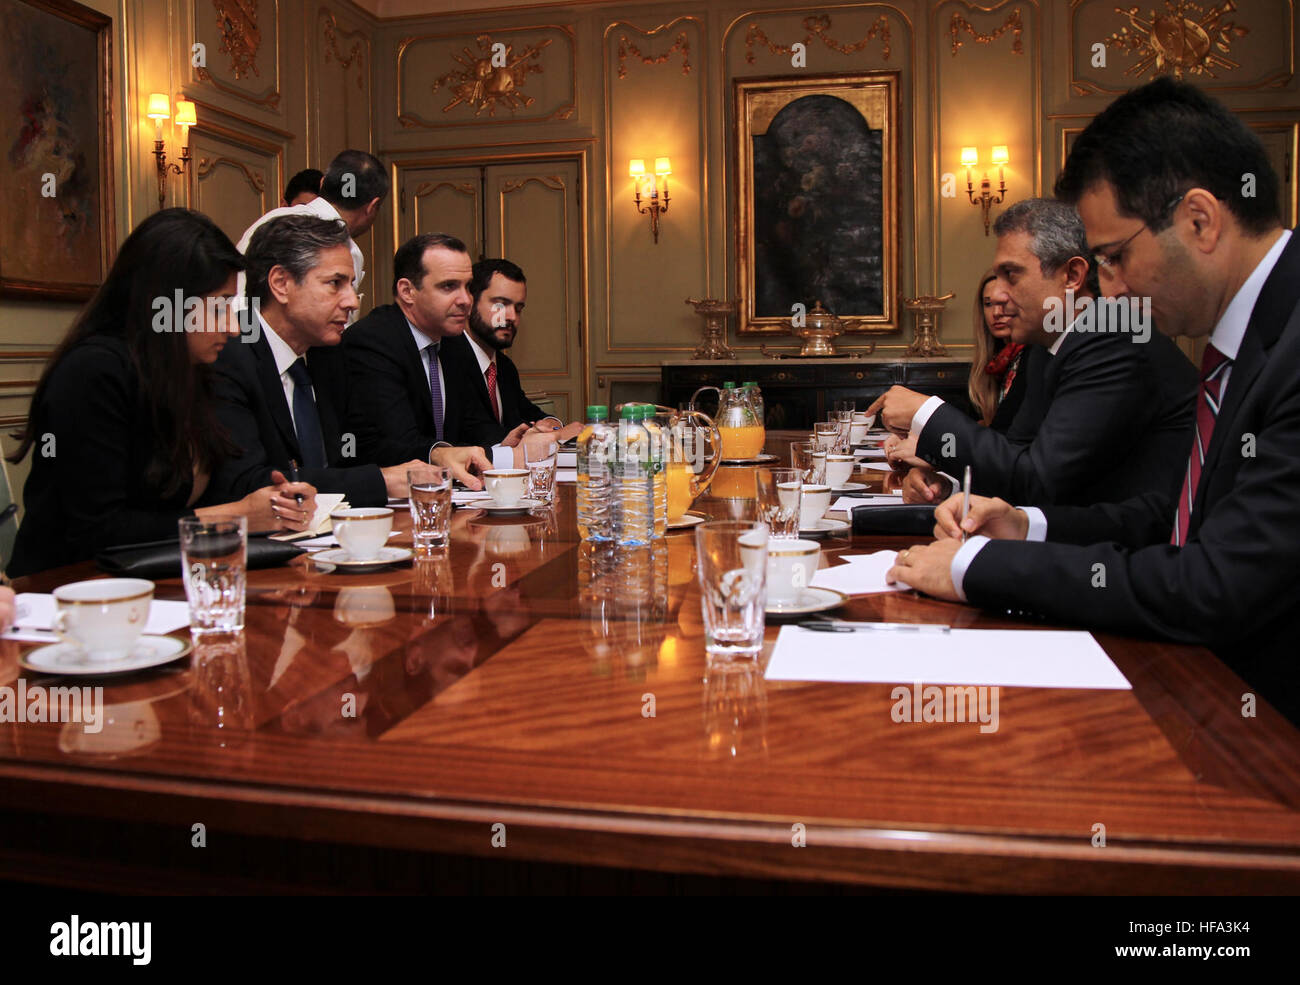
281 393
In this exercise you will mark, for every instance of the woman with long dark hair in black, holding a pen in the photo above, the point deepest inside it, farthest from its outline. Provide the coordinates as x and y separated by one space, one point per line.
123 433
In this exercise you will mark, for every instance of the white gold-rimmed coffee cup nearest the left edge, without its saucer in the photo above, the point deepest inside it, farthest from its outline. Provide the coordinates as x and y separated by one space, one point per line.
103 618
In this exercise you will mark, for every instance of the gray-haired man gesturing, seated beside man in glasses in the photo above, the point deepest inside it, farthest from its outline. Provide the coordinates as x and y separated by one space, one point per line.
1112 413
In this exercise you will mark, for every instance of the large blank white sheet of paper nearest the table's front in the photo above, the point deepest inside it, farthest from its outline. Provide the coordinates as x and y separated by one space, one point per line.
1007 658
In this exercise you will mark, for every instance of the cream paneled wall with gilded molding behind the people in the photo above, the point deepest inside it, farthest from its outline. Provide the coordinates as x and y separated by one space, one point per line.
259 129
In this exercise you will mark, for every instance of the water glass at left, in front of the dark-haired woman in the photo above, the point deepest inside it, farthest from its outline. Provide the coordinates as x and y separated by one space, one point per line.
214 562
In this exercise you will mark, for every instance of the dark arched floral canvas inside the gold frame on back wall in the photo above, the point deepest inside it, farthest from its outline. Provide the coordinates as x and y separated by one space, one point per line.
817 210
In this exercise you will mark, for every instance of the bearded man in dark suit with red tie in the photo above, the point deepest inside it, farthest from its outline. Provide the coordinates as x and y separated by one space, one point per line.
478 366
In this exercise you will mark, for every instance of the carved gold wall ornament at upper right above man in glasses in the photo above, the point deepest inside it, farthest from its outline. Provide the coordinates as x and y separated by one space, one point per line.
1172 44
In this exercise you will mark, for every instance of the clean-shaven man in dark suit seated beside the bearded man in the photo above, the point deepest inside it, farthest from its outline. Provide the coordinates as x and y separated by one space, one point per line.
405 400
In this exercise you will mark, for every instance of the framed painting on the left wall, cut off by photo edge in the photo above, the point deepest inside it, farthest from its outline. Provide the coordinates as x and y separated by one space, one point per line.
57 124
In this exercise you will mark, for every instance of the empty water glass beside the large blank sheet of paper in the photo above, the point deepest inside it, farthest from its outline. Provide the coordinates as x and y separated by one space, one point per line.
733 567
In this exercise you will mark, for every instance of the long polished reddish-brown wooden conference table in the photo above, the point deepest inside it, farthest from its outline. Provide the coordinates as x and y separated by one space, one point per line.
497 718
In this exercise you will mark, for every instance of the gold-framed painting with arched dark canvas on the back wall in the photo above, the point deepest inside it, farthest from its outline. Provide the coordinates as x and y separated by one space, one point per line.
817 166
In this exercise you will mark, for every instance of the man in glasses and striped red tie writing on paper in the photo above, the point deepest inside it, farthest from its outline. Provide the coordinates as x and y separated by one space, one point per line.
1159 181
